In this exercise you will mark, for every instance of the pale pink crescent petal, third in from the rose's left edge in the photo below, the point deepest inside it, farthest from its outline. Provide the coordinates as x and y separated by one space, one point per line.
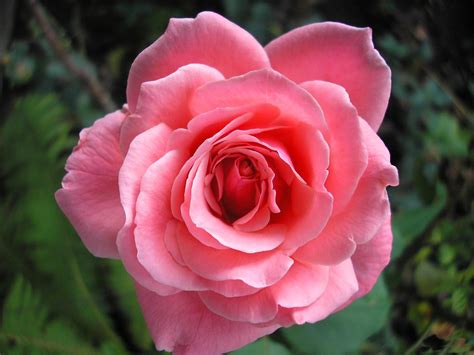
152 217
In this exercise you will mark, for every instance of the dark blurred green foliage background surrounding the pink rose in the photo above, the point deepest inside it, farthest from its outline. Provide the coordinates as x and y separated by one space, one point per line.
65 63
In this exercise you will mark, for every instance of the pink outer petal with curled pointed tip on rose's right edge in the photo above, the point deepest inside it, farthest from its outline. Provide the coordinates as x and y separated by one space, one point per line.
365 213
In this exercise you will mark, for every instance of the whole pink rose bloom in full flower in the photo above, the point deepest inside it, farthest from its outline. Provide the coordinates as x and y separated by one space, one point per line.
243 188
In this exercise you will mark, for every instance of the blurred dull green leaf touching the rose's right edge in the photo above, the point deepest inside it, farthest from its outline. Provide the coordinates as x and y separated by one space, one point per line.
410 223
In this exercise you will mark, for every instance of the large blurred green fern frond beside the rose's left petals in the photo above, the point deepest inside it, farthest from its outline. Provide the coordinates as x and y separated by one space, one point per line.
34 141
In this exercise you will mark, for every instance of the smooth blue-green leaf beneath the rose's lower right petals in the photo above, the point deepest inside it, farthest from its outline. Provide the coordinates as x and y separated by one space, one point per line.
345 331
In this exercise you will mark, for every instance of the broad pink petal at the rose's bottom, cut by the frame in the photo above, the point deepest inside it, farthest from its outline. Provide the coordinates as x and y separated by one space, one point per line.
183 325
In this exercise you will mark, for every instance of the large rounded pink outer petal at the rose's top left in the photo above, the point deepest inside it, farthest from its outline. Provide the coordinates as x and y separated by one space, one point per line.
209 39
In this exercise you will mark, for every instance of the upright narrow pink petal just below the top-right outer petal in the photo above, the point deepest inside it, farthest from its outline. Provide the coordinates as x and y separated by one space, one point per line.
348 154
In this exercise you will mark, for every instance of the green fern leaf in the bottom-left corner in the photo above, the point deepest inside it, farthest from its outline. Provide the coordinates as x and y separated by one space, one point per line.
27 328
